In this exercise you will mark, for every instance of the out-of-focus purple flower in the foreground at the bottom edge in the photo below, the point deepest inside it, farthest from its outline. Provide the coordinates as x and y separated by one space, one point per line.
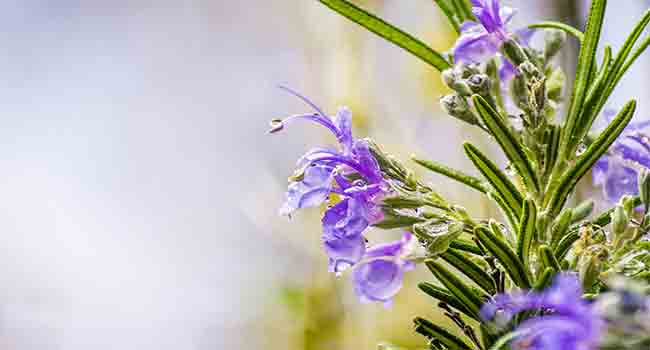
566 320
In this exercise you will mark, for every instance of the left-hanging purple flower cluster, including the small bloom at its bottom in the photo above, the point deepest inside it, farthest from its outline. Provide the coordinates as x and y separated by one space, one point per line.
352 175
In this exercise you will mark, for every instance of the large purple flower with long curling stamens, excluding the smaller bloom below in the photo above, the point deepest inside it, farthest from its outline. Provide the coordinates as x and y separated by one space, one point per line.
350 172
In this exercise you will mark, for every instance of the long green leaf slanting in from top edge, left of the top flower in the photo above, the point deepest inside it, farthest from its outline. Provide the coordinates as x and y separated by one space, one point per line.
388 32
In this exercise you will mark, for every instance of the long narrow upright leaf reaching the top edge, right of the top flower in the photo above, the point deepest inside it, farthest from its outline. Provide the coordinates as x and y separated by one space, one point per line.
586 60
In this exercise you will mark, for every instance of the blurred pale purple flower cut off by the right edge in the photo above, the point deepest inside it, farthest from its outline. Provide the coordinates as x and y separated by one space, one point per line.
617 171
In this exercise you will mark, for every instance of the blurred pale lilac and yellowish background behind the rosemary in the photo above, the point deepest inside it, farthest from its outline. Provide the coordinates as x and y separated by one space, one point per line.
139 189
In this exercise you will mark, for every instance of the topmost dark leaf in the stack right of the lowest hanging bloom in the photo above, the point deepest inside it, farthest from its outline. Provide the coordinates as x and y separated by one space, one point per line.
505 255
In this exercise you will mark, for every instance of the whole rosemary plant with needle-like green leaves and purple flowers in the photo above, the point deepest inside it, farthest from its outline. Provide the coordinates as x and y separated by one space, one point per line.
544 275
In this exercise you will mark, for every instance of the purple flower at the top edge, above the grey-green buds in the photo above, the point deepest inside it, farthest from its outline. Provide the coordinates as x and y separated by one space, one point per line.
482 40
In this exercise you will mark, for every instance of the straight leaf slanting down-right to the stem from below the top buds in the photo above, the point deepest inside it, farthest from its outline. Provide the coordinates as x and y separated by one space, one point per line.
509 143
